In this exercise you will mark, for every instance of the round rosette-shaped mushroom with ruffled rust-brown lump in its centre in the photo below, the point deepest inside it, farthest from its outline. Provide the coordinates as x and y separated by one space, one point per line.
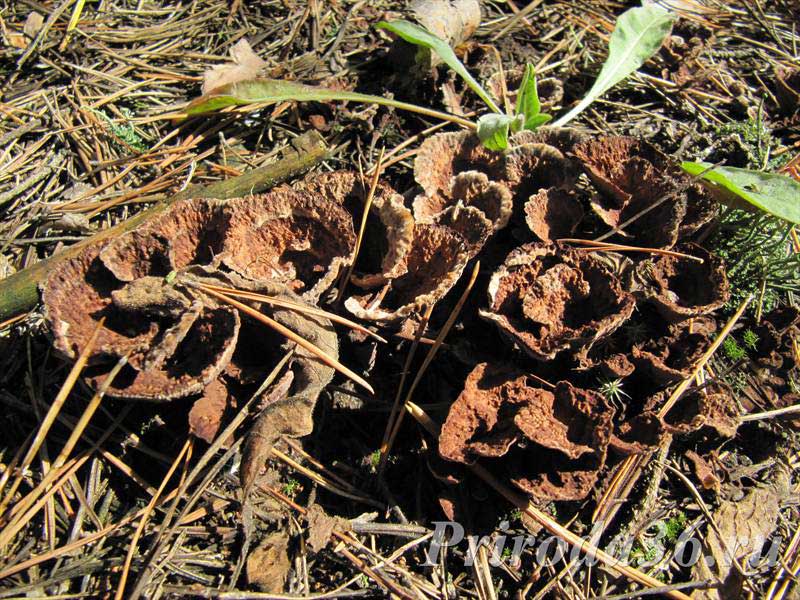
548 299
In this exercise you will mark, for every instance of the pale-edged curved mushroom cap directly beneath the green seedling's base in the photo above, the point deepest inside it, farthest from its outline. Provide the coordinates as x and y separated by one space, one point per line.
444 155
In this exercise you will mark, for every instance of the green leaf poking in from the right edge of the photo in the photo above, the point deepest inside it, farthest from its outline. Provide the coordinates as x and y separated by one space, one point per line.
778 195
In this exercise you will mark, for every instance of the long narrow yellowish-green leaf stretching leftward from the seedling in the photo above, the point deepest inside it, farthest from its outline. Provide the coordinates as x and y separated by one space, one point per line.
271 91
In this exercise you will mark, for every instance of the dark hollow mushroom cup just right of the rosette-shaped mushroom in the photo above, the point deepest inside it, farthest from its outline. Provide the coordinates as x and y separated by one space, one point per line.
682 288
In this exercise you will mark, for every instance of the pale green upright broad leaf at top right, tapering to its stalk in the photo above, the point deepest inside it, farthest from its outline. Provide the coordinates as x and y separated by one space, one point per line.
637 36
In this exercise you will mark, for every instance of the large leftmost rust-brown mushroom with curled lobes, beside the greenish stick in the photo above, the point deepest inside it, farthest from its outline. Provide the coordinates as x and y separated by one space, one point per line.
176 338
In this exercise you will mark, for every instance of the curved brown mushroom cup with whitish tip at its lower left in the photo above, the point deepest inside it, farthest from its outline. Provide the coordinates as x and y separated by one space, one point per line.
437 258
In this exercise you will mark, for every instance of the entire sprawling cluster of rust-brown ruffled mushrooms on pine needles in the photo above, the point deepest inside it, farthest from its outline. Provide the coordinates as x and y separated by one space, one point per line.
571 313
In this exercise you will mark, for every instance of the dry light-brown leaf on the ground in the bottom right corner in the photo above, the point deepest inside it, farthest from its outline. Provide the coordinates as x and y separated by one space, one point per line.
745 526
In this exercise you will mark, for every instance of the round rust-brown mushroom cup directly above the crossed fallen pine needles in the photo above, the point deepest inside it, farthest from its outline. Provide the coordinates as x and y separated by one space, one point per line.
293 237
